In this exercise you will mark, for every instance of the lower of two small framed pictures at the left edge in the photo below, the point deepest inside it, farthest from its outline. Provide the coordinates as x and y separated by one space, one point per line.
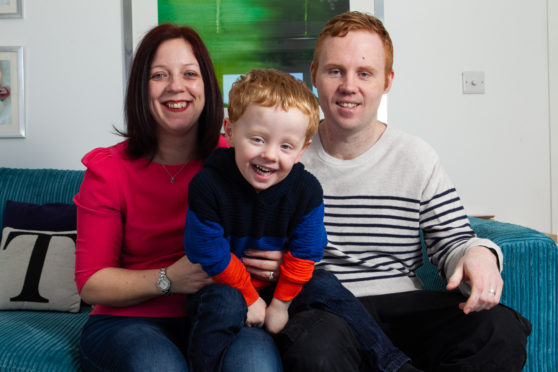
12 118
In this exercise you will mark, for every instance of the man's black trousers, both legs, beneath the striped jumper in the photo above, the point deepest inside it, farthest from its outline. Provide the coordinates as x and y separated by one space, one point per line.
428 326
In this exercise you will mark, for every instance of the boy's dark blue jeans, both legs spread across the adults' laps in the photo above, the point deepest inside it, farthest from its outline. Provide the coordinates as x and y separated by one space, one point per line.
218 312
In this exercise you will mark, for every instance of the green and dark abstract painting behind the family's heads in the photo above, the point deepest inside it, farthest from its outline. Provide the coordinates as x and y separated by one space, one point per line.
246 34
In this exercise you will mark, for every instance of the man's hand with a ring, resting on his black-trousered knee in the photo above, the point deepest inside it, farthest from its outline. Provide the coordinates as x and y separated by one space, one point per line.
479 266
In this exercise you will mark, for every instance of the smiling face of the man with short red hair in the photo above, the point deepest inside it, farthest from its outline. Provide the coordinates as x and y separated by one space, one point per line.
351 80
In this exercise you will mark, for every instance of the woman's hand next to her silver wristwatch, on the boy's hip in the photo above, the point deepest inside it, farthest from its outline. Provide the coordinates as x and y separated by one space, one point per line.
187 277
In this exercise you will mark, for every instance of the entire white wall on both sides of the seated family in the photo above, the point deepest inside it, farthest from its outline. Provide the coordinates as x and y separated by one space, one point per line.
495 146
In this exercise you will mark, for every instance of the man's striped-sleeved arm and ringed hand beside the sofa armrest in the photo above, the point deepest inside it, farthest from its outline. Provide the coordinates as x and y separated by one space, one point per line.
467 261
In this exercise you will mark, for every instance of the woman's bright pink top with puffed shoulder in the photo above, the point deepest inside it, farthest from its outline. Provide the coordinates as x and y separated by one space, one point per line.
130 215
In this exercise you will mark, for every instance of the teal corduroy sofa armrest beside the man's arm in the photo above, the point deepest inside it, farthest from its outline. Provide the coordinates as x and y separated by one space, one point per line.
530 276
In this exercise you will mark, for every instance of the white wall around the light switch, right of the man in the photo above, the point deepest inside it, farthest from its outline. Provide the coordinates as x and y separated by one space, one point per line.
495 146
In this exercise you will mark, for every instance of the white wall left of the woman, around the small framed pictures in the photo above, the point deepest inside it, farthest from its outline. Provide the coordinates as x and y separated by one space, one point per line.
73 80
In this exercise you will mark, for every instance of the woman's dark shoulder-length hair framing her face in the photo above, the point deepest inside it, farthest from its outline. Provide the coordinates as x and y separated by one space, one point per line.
141 128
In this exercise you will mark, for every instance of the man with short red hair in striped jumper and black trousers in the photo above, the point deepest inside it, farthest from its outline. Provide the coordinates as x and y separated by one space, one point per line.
381 187
